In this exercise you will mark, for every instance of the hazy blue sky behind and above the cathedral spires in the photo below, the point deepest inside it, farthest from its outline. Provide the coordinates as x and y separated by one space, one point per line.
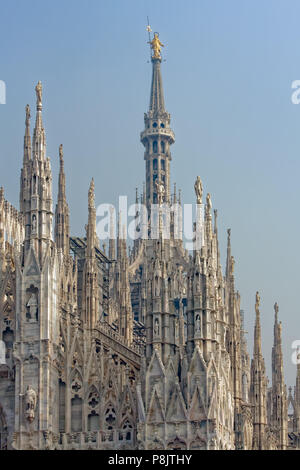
227 79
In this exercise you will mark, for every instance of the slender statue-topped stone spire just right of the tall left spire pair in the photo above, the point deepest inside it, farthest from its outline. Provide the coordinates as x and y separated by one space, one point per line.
62 227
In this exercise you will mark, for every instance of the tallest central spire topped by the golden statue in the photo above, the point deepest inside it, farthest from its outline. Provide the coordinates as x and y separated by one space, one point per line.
157 136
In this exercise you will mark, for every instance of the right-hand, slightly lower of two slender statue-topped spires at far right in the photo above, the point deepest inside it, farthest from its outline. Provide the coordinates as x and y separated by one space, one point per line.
279 396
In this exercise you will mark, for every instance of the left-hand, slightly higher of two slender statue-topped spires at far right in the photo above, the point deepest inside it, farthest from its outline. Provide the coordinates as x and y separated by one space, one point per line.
258 387
